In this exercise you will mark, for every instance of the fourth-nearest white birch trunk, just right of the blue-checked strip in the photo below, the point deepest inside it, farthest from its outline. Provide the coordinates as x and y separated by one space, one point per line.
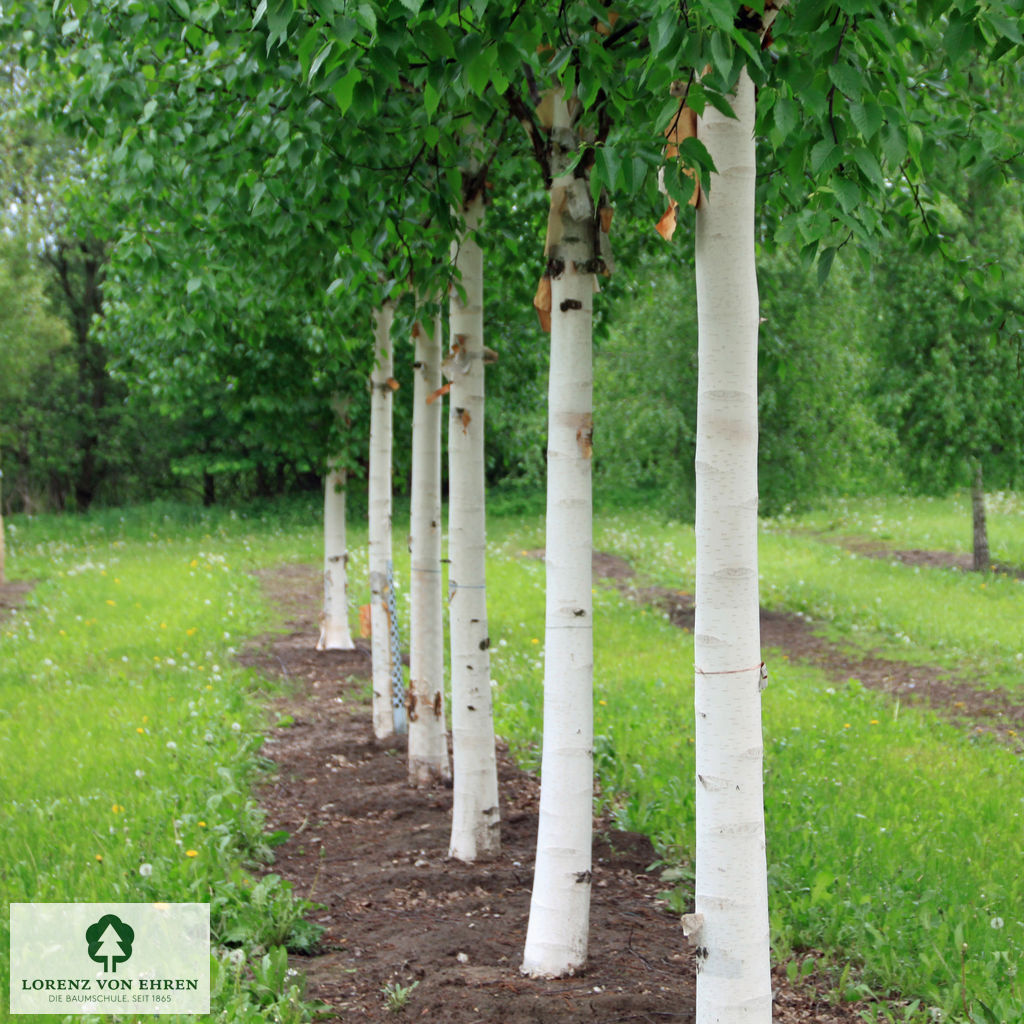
429 760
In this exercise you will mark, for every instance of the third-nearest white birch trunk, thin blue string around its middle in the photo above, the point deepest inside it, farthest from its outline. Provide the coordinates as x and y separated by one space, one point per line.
476 817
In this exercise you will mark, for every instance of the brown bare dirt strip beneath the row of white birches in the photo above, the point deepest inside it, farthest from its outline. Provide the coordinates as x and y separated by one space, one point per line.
374 852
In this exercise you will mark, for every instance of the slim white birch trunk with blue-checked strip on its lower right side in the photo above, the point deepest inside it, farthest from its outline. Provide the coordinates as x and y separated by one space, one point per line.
380 520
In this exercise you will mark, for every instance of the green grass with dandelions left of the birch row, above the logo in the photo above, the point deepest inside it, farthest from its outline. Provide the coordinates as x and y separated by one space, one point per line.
130 735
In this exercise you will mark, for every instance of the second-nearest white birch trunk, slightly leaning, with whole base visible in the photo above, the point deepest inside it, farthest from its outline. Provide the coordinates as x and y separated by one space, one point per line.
560 911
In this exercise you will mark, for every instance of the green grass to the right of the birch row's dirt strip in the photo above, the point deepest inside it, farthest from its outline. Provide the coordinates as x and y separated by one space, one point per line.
893 836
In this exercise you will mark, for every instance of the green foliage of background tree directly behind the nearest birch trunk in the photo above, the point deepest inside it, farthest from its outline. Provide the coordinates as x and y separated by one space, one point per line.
819 435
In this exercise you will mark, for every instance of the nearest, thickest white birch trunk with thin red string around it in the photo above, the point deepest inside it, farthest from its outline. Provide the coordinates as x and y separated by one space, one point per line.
731 924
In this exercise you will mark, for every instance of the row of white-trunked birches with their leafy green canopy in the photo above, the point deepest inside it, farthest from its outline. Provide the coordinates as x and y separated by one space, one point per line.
311 164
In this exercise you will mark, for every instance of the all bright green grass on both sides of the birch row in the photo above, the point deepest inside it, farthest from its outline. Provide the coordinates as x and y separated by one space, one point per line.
893 837
